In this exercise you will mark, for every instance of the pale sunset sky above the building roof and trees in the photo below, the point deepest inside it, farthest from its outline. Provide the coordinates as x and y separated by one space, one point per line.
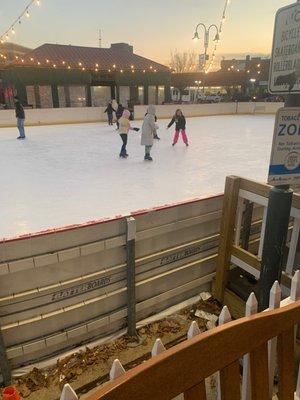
153 27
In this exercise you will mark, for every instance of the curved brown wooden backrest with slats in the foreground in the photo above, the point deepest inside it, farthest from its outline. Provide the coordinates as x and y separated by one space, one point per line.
184 368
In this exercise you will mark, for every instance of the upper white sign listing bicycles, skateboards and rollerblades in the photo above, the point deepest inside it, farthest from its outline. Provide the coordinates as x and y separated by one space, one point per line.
285 61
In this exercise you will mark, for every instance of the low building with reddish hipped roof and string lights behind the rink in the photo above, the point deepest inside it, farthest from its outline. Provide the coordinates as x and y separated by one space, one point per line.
56 75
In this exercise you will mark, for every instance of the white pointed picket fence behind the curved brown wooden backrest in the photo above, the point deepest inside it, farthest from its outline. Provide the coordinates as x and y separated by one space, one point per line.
251 308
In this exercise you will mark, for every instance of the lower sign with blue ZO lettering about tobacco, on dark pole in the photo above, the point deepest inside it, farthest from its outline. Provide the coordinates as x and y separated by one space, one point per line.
285 156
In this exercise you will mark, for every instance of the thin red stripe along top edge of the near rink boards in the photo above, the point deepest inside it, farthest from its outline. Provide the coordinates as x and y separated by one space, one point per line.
107 219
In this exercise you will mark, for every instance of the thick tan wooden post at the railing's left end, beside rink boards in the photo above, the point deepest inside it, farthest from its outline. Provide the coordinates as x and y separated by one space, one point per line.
226 234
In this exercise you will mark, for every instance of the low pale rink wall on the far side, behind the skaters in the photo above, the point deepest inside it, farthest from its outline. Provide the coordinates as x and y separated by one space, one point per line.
56 116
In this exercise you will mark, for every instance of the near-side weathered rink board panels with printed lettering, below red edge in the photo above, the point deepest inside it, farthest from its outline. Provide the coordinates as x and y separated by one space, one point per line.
66 287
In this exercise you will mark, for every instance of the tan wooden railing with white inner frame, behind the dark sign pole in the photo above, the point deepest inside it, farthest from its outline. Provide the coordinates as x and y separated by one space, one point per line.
239 193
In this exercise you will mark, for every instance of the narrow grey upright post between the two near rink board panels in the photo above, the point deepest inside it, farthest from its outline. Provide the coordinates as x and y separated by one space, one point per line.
130 256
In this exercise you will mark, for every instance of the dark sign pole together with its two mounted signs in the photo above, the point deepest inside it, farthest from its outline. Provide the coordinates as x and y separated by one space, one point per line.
284 167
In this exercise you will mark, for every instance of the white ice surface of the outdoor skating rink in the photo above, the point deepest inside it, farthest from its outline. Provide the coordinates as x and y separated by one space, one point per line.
69 174
